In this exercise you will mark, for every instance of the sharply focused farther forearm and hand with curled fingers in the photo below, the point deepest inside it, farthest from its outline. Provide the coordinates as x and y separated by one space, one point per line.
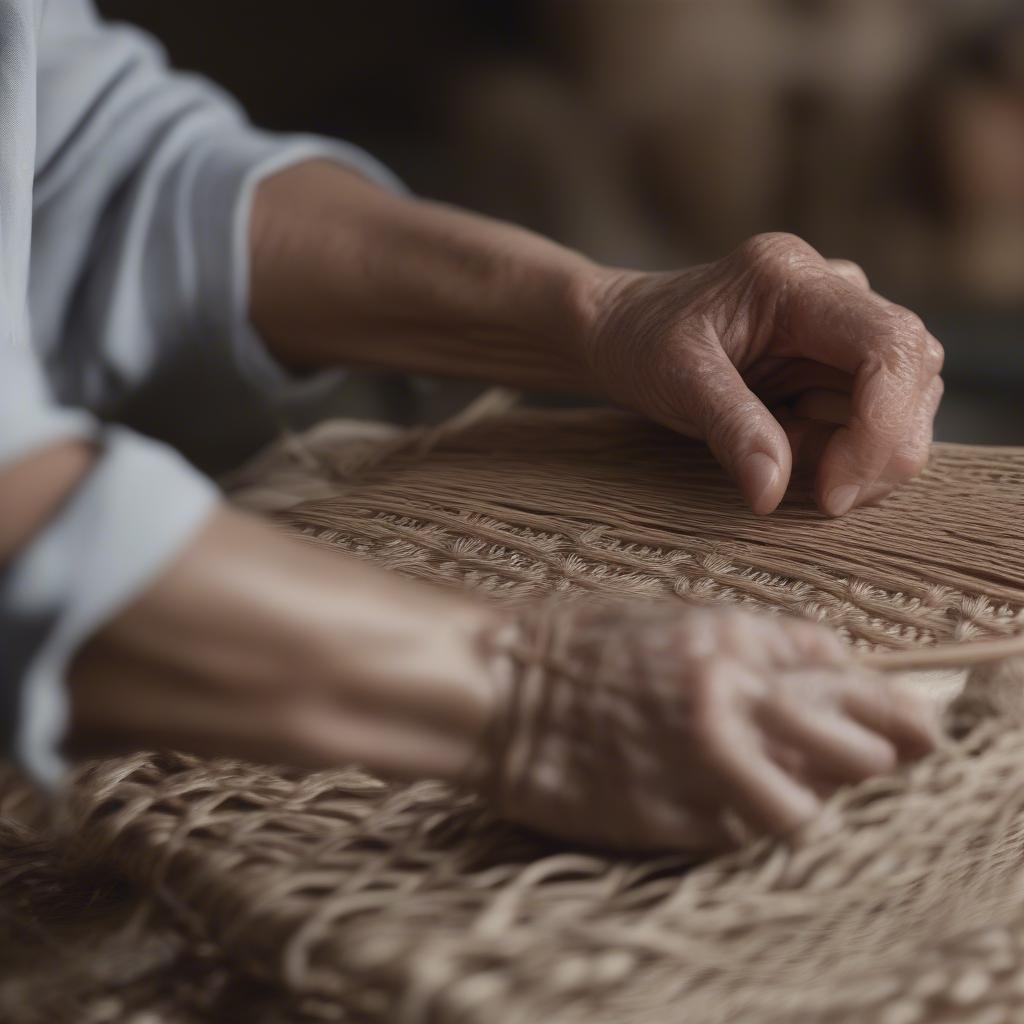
774 355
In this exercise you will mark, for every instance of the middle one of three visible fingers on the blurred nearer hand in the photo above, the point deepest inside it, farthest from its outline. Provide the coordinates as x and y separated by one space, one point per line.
834 746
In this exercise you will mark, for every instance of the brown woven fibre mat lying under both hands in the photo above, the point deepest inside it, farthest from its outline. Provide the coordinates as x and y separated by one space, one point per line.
224 891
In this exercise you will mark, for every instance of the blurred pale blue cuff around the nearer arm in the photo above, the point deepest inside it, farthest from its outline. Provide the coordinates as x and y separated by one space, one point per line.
127 521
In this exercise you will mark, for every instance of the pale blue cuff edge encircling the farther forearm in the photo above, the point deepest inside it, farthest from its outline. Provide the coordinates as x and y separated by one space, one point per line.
237 165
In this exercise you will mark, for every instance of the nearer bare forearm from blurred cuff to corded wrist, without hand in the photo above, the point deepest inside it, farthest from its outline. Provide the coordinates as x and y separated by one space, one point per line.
253 646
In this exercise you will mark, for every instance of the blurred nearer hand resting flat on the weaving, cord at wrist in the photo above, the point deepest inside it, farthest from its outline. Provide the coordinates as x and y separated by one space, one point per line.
661 729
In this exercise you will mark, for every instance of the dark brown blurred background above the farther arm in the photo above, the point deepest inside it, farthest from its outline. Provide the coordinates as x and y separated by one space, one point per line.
654 134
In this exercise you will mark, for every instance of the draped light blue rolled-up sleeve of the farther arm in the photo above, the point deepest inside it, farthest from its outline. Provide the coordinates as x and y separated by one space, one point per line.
144 187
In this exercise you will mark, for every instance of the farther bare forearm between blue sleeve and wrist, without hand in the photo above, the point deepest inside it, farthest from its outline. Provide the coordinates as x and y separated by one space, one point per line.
347 273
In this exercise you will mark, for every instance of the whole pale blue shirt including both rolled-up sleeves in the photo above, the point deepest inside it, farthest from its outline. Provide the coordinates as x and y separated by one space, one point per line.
124 325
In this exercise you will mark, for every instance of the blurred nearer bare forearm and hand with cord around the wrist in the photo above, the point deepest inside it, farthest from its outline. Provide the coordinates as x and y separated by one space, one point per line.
644 728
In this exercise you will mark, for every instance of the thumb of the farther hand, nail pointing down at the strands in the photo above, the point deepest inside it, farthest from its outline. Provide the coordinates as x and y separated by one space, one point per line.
746 439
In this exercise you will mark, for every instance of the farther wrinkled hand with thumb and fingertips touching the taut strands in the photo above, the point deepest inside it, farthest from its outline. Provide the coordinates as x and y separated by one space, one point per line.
854 379
